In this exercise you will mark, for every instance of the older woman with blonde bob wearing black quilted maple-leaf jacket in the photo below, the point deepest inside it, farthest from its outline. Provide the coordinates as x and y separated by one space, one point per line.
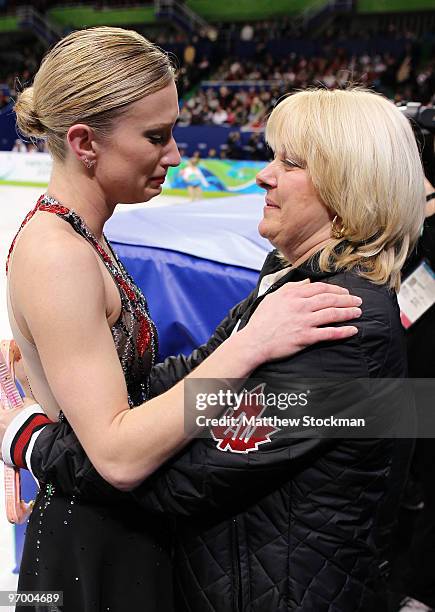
304 523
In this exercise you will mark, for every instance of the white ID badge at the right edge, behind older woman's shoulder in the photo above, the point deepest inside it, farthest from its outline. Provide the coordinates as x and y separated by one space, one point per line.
417 294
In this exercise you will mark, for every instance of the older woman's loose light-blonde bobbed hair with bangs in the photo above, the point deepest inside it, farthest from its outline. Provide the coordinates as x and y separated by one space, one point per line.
362 157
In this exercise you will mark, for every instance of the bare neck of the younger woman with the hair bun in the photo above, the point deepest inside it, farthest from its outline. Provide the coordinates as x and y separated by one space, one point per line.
75 189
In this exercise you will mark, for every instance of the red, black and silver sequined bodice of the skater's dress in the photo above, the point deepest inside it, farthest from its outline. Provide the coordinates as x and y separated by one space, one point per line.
134 333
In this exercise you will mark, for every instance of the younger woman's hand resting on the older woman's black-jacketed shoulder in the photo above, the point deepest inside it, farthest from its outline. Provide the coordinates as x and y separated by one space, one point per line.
300 314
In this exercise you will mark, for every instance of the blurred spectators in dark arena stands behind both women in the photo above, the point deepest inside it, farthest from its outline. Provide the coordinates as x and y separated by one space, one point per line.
240 90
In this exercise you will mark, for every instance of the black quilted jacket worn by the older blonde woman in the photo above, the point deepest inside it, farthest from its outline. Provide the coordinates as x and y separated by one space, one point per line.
300 524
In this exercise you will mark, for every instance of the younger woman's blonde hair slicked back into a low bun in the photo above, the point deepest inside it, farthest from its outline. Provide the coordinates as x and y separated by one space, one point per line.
90 77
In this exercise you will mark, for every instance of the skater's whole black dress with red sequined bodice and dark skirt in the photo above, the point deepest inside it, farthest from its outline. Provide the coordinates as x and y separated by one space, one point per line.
103 556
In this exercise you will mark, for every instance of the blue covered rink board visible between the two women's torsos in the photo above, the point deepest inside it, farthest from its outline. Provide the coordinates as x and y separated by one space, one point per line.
187 296
